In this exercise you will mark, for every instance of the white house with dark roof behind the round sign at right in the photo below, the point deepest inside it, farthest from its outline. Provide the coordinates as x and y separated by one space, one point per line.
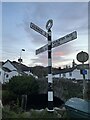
73 73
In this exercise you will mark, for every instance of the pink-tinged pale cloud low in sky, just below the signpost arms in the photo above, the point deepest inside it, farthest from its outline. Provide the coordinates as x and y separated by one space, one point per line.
60 56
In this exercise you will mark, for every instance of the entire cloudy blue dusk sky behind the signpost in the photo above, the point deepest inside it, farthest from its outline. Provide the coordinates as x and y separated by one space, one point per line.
17 34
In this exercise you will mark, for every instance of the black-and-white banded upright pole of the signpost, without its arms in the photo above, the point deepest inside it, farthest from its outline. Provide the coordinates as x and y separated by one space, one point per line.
50 81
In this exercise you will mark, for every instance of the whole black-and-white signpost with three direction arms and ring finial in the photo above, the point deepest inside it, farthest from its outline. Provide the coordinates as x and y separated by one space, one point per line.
51 44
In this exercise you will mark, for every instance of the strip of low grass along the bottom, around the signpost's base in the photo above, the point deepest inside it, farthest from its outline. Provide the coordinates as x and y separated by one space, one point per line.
34 114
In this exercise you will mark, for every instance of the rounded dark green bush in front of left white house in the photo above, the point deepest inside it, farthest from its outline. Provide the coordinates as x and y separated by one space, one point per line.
23 85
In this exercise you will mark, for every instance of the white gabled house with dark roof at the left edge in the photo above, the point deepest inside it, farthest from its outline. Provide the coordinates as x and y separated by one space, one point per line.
13 68
